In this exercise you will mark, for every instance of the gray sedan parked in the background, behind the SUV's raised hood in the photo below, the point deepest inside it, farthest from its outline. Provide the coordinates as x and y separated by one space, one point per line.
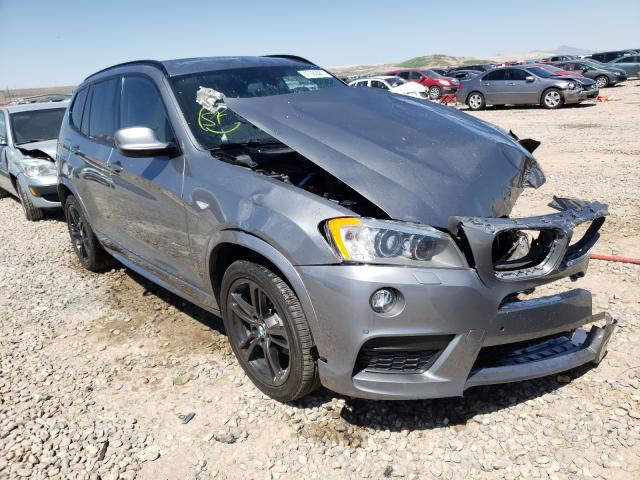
520 86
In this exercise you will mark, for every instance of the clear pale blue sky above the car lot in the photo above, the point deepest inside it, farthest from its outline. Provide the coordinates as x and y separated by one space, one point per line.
60 42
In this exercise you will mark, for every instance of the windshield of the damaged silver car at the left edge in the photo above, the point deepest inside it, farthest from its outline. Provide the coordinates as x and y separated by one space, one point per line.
36 125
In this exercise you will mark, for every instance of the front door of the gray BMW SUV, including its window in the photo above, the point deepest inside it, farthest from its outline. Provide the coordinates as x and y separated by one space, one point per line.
145 202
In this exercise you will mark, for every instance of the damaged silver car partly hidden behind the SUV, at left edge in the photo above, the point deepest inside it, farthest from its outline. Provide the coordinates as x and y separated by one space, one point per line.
28 141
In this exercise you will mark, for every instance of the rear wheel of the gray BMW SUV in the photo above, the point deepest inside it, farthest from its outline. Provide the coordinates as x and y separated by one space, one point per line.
86 245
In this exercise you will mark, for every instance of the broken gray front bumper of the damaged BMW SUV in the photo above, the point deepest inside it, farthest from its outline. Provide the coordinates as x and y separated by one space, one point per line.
453 321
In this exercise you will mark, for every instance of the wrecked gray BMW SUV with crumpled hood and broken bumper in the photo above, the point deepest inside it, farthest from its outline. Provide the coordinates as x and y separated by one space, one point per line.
347 237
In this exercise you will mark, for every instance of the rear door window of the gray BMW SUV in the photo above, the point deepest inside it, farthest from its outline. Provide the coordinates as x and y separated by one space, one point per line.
104 102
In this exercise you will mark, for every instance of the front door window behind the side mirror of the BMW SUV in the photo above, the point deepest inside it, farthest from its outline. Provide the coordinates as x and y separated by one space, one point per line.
142 106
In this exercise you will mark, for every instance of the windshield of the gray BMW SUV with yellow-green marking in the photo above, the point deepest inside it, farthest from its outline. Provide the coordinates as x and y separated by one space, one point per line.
201 97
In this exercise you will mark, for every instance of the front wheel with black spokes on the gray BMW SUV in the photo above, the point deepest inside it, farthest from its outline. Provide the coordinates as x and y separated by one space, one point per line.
268 331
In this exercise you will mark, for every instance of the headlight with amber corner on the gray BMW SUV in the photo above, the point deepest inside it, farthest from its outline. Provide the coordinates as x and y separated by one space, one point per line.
365 240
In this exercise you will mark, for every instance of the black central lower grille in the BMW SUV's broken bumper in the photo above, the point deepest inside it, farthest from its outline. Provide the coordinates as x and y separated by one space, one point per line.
525 352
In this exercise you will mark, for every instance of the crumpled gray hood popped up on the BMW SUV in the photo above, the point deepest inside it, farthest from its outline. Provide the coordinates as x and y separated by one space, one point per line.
418 161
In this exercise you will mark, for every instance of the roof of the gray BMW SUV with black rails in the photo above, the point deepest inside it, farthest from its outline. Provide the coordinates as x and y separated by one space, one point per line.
182 66
